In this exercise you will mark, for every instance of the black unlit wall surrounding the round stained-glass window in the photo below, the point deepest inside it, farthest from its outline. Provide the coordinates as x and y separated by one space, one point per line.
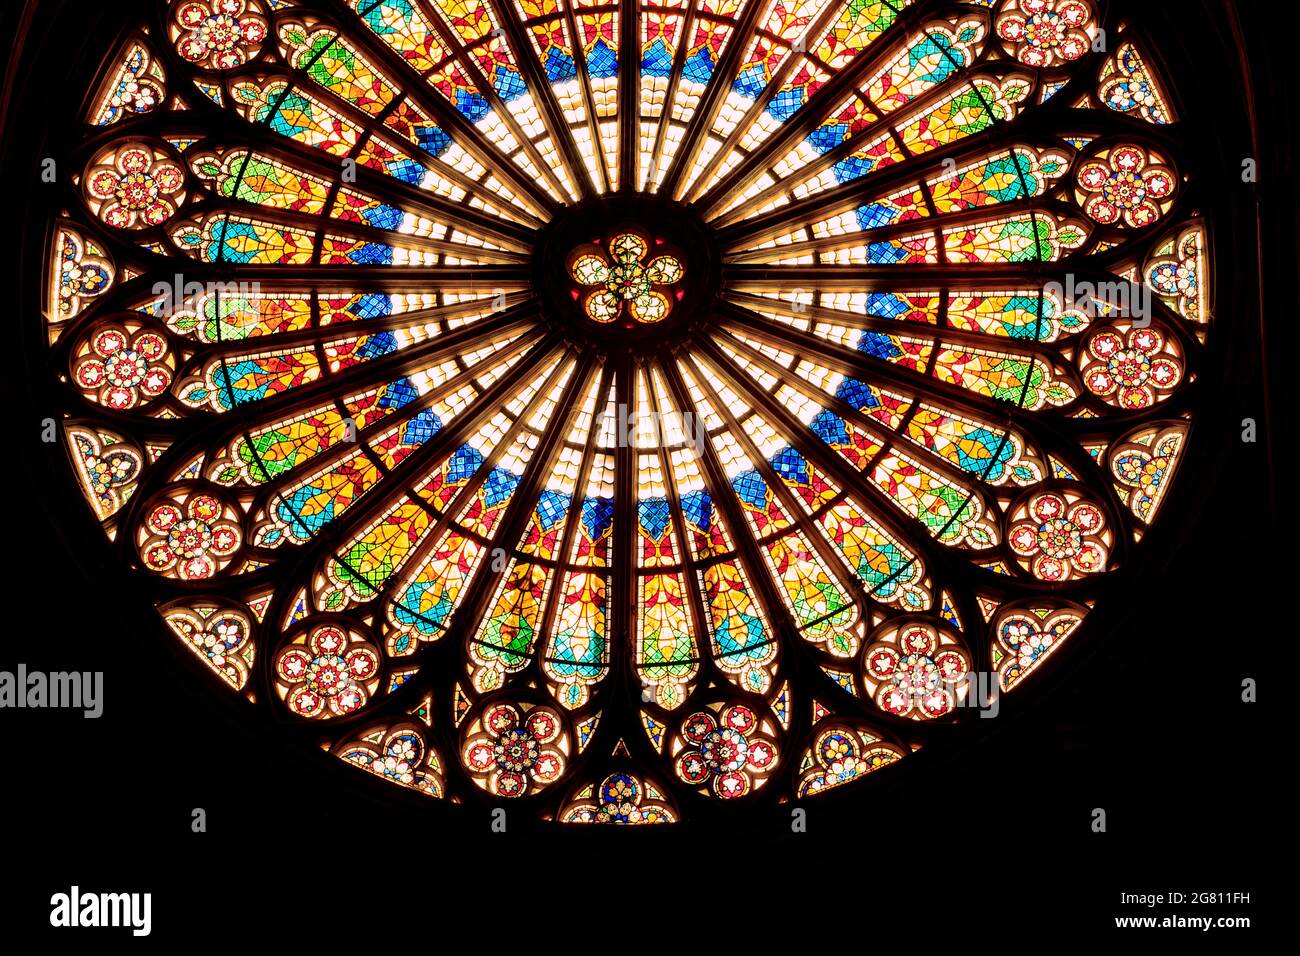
1149 723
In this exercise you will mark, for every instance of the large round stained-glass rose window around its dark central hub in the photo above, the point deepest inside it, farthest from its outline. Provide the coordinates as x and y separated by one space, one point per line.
938 397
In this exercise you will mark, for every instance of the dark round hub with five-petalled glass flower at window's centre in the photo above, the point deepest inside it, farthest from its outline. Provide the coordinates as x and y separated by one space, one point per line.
627 269
